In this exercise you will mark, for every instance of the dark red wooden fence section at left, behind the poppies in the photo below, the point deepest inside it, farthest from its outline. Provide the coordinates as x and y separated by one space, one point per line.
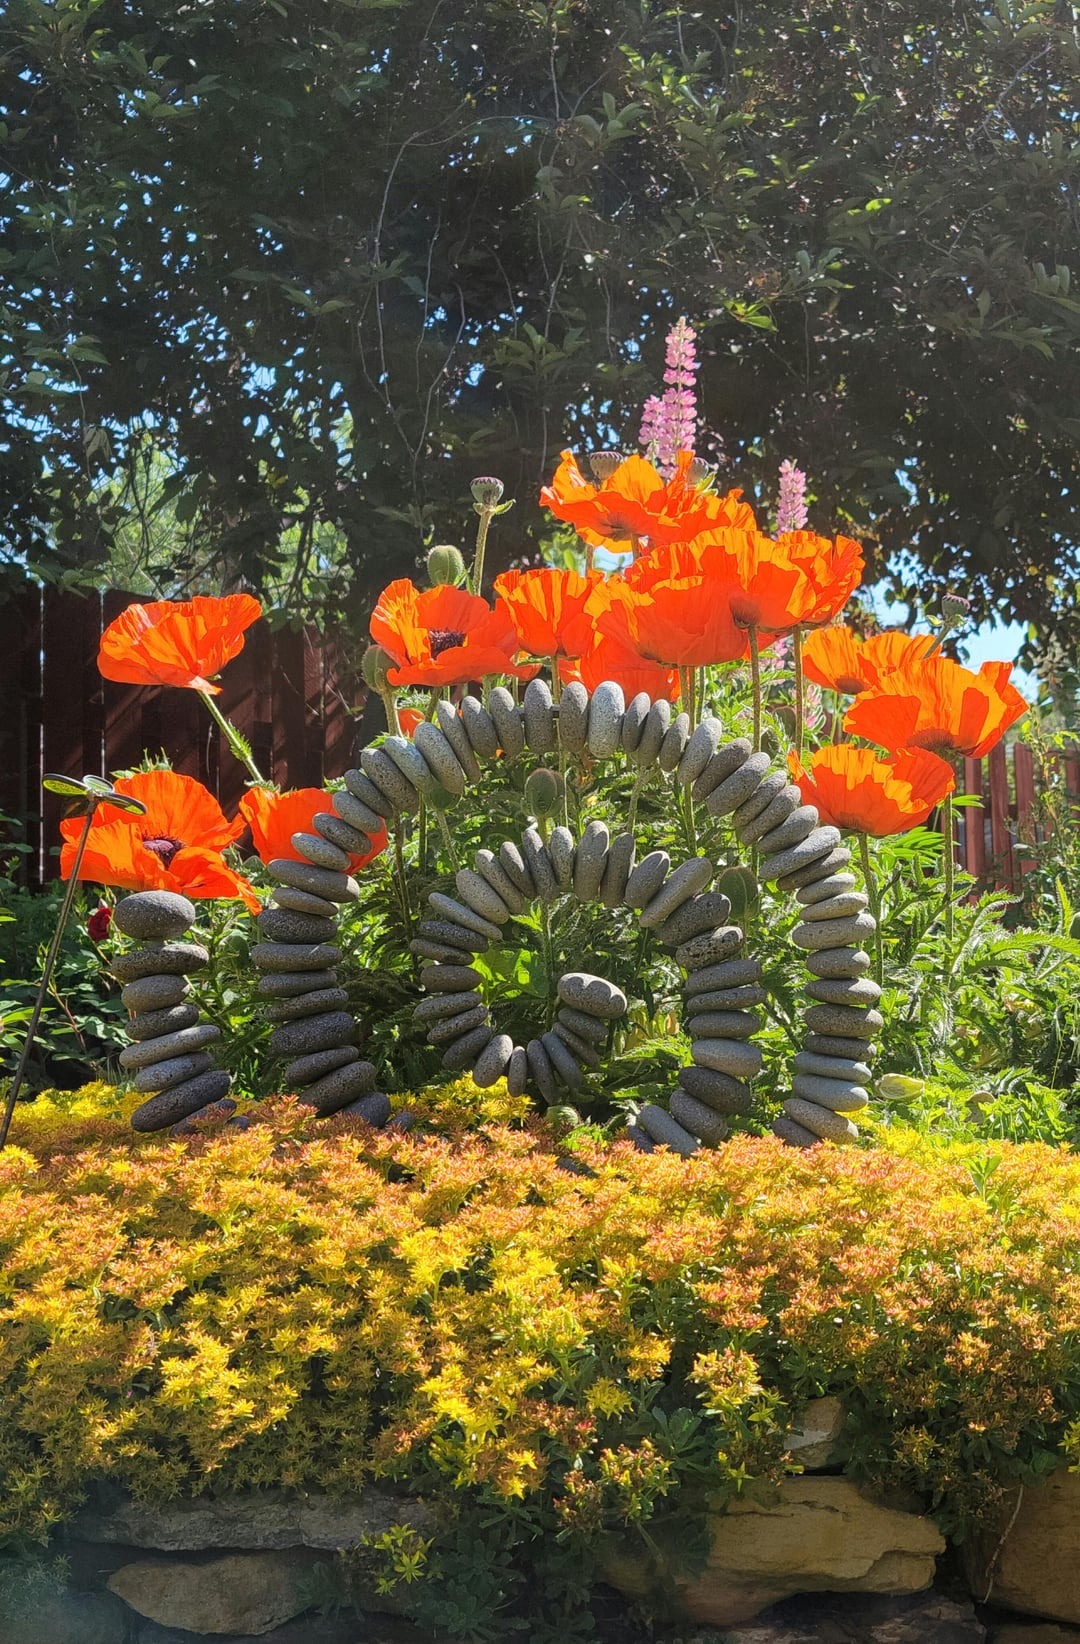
288 693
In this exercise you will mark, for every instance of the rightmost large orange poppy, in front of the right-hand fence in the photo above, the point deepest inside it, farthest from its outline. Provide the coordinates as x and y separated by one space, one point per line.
941 706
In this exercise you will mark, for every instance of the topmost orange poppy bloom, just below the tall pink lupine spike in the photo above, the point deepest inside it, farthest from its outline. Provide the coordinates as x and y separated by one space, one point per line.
637 504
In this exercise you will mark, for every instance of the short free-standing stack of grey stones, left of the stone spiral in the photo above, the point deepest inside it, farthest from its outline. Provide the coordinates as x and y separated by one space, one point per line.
170 1055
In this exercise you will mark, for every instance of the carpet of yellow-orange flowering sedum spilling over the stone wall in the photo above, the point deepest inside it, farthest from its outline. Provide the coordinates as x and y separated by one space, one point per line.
305 1305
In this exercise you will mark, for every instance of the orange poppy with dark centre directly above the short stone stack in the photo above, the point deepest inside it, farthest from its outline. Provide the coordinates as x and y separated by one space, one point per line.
175 846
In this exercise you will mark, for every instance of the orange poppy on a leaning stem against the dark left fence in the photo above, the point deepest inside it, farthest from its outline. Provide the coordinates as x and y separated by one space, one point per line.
177 642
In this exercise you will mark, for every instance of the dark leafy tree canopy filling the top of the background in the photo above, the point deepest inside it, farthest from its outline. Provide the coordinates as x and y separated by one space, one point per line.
297 270
